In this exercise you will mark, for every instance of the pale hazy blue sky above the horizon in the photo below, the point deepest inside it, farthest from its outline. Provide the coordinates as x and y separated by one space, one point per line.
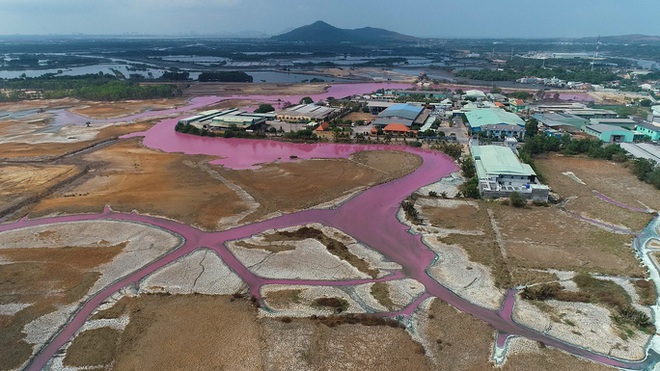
423 18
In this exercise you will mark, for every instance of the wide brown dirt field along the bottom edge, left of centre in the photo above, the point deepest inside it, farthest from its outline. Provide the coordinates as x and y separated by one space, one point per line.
222 333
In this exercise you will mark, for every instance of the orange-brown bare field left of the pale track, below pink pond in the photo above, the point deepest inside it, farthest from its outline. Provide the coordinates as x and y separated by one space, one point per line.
137 178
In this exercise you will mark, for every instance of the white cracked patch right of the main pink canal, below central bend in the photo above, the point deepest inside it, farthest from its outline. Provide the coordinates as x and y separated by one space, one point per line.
471 281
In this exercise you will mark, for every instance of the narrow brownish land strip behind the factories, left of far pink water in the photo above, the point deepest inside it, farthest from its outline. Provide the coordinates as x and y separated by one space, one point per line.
225 89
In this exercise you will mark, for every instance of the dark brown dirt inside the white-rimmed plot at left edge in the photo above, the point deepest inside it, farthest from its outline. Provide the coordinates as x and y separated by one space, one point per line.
44 279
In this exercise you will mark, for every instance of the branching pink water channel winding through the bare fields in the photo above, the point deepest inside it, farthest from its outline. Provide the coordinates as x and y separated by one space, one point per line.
370 217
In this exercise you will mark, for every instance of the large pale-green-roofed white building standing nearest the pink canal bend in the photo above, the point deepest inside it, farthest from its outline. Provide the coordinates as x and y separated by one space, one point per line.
500 173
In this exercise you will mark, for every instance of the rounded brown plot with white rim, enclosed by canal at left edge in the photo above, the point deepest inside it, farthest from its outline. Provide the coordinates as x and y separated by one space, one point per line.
47 270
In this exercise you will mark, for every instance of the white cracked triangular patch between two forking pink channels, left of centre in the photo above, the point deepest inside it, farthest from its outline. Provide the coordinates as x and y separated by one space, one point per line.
200 272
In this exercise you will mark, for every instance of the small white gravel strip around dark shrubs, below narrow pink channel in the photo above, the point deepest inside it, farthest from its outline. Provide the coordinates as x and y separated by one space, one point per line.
304 307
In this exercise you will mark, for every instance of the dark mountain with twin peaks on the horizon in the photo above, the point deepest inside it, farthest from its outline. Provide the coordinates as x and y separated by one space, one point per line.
322 32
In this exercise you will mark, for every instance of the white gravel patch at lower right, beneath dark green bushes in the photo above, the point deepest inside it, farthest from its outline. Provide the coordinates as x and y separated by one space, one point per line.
583 324
